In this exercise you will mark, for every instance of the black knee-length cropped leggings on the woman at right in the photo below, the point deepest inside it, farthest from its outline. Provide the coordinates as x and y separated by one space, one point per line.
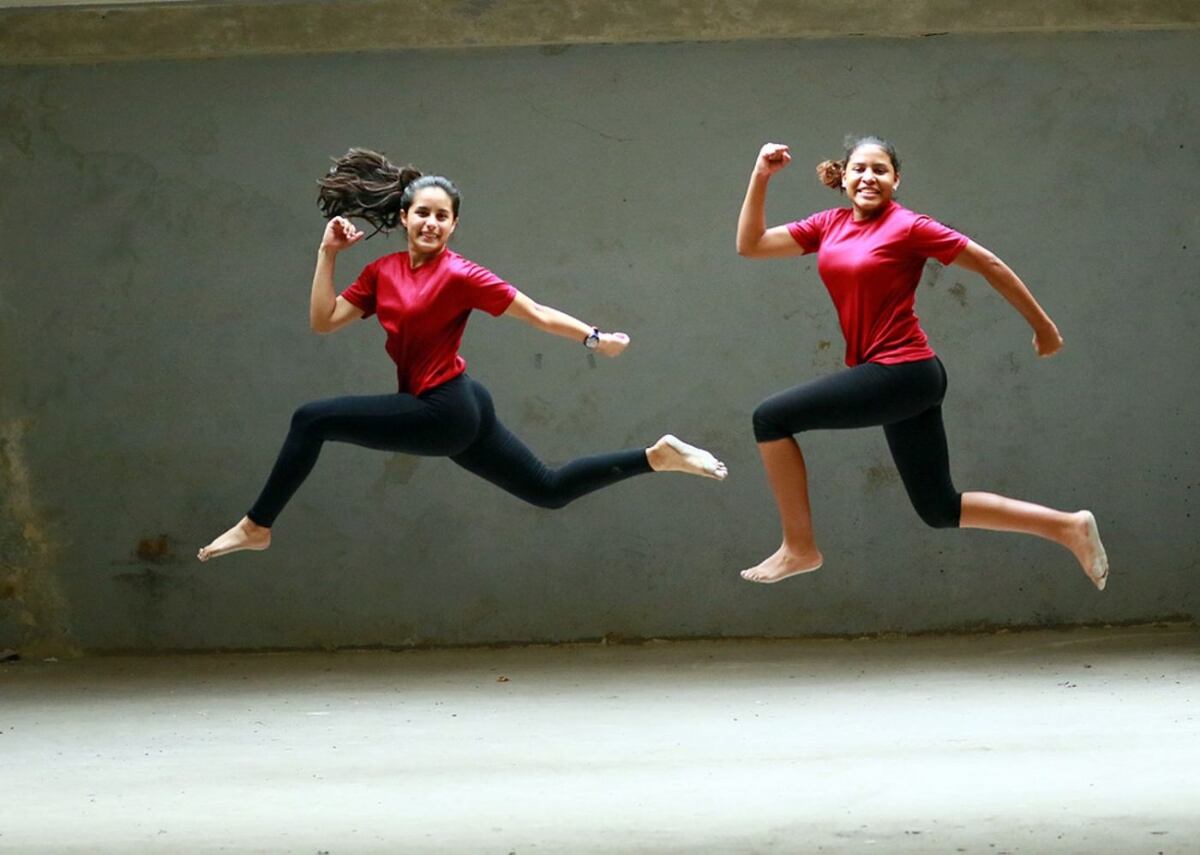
907 399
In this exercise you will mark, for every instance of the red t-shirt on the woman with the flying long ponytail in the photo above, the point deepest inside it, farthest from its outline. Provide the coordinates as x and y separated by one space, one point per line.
425 312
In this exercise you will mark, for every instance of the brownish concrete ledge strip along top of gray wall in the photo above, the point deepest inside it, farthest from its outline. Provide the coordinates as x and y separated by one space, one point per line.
37 32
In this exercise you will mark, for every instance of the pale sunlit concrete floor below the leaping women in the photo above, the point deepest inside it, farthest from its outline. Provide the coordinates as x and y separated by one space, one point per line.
1084 742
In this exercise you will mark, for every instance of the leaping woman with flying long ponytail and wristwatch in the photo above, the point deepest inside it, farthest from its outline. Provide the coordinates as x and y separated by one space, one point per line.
423 298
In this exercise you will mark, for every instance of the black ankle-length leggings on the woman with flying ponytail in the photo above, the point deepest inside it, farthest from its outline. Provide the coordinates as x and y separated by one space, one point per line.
455 421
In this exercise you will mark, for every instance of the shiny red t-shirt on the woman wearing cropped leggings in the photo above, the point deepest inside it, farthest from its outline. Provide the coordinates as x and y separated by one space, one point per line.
872 270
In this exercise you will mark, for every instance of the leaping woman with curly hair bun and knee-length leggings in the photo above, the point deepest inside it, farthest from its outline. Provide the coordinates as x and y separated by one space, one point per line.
871 258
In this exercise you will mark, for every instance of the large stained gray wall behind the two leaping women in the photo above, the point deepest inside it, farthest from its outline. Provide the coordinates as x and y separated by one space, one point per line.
159 235
